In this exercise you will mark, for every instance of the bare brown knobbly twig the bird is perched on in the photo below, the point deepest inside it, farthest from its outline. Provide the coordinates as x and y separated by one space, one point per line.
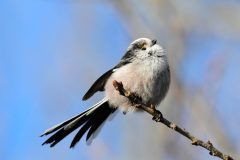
157 116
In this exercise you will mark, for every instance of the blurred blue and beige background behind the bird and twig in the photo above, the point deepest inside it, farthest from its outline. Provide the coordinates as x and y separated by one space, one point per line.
52 51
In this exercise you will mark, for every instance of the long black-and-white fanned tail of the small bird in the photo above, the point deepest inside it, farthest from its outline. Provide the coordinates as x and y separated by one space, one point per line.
89 120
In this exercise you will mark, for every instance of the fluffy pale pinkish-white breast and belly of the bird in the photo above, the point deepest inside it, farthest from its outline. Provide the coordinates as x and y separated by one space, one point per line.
144 78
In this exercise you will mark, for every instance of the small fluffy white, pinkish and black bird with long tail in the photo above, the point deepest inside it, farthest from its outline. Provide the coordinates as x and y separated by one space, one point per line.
143 70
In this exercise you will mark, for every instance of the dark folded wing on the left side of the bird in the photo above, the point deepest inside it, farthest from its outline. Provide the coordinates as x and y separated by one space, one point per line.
99 84
